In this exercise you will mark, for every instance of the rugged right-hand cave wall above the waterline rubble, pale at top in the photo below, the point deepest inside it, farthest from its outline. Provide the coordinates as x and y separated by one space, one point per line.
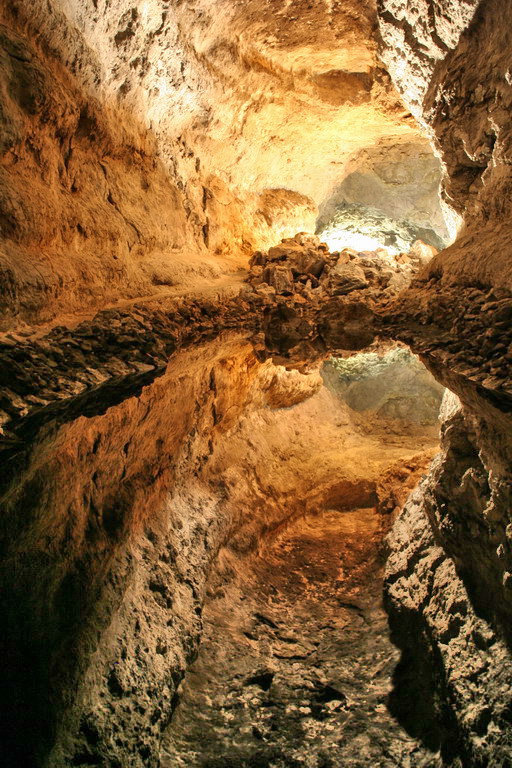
451 60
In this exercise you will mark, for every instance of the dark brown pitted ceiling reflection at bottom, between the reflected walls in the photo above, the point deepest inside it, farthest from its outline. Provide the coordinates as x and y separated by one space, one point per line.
296 664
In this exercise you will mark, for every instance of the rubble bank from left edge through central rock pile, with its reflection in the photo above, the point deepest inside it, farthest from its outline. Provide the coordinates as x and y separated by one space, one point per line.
302 298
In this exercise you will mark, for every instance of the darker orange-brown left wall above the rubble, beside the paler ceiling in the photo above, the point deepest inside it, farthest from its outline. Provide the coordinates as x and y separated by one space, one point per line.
87 209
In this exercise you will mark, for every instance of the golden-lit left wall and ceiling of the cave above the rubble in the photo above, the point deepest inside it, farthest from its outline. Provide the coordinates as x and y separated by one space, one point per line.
150 145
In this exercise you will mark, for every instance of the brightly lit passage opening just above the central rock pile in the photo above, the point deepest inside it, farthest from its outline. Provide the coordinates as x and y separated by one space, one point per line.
388 198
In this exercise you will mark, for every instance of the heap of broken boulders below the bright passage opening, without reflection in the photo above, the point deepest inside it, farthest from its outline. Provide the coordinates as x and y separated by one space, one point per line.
303 265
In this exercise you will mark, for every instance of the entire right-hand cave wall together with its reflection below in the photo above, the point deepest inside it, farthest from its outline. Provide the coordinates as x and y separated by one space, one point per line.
448 572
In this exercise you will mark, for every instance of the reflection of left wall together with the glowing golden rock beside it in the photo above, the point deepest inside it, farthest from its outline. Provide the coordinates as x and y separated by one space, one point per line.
115 521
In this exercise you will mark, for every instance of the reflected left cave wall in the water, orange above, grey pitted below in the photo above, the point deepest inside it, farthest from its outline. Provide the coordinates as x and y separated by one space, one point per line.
112 534
